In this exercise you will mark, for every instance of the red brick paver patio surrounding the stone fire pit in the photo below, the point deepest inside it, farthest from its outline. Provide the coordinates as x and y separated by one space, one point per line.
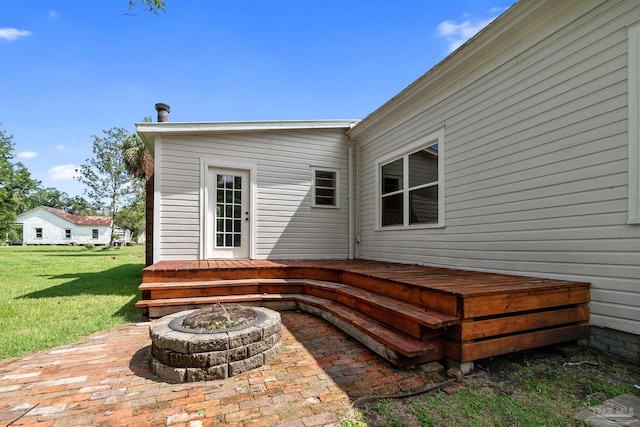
106 381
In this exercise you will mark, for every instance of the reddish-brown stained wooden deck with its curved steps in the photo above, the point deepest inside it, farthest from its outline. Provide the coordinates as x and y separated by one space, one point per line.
406 313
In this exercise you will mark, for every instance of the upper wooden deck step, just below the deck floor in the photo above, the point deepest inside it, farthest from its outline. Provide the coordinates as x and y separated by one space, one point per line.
407 317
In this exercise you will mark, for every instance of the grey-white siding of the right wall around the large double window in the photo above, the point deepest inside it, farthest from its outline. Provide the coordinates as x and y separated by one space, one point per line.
536 162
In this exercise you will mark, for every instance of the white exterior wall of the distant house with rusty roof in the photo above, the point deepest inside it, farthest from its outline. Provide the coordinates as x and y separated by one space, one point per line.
53 230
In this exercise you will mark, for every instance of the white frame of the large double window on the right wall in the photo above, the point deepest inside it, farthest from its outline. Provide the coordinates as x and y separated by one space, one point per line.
431 139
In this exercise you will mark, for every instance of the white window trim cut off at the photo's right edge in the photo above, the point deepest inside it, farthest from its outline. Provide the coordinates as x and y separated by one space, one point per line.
633 67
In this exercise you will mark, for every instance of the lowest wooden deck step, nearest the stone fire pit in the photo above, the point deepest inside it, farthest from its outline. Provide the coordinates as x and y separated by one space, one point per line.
395 346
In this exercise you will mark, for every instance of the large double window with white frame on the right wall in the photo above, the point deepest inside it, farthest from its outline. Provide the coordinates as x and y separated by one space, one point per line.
409 186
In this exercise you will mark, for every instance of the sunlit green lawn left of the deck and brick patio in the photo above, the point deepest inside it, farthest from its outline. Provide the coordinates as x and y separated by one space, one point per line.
53 295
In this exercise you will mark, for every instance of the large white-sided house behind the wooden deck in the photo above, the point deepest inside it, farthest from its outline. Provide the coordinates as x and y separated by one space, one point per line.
518 153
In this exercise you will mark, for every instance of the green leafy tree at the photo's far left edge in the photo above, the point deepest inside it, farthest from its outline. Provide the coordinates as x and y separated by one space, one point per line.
15 186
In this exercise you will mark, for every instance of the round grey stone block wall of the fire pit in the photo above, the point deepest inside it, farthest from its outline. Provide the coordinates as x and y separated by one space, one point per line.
182 355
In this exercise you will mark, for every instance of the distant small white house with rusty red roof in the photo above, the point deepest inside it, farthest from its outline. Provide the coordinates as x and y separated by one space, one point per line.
49 226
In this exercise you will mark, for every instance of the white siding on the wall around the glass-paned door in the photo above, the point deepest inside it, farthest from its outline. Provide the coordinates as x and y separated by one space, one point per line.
287 225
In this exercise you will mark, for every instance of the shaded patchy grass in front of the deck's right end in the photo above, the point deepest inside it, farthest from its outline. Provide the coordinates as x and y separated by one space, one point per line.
532 388
